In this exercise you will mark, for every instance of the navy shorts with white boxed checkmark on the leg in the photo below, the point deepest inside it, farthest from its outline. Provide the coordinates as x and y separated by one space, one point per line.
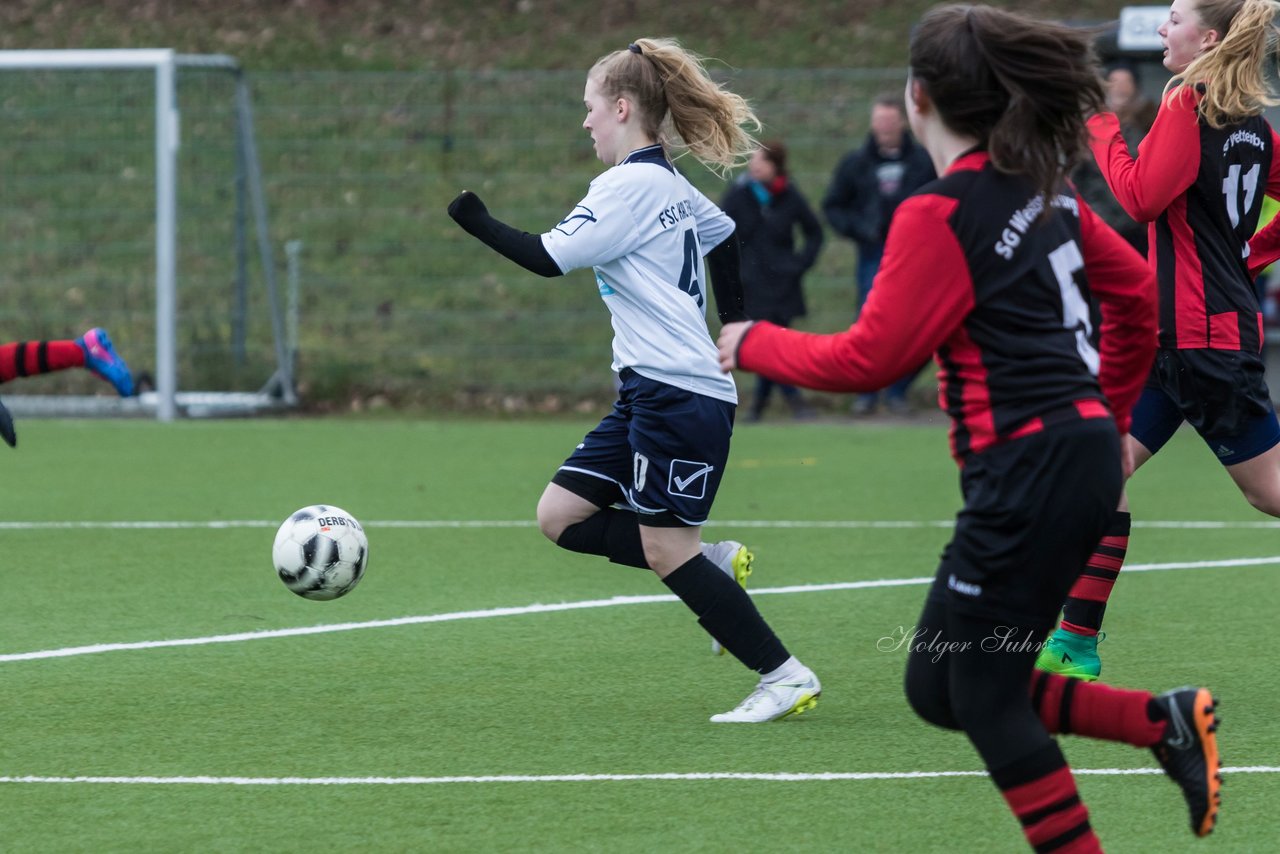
661 451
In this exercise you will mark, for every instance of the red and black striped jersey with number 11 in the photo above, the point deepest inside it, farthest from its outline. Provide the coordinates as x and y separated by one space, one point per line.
1201 191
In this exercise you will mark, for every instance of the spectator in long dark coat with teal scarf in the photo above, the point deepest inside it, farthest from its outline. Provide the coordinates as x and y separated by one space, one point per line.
770 212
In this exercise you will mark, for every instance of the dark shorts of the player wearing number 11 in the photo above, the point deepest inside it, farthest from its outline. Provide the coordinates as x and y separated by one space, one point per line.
1219 392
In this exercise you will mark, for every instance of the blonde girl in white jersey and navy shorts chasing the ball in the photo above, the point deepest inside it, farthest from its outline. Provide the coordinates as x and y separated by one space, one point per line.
641 486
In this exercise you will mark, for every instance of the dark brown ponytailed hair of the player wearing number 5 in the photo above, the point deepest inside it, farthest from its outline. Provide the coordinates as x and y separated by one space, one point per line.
1021 86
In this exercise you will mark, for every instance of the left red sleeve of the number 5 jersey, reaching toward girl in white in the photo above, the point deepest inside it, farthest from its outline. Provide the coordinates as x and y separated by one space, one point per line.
918 299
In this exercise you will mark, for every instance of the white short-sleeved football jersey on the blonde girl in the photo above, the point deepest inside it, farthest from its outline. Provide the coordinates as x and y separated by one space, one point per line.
643 229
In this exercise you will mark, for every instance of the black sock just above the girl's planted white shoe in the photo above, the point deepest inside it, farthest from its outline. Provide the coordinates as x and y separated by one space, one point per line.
728 614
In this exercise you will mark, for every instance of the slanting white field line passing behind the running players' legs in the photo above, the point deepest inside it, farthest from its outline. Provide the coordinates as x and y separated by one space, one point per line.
66 652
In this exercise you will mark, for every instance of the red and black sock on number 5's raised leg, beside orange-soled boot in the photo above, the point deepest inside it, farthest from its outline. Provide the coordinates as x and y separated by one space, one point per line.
1096 711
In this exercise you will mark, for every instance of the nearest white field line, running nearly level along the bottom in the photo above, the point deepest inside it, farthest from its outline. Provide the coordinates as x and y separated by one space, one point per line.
783 777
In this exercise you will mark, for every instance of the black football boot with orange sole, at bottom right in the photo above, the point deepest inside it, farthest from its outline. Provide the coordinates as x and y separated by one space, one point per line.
1188 753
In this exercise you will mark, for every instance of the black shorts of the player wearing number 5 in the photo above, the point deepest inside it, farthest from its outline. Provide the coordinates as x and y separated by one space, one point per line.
1035 510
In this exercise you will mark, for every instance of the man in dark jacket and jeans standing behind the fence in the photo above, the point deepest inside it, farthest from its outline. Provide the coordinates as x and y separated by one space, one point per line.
866 190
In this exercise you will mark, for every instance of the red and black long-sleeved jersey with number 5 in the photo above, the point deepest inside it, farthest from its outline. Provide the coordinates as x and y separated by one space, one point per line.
977 273
